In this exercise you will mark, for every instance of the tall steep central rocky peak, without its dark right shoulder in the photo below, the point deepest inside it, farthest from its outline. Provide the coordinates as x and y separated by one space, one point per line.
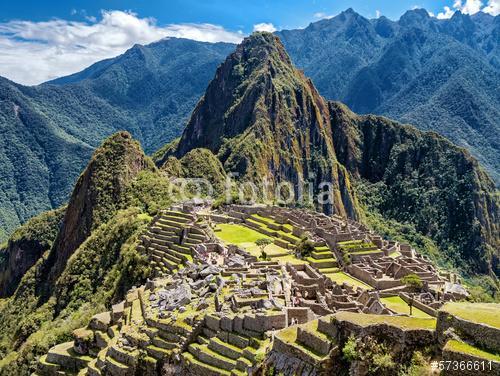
265 120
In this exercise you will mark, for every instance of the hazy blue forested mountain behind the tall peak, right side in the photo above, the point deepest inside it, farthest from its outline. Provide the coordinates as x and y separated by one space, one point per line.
440 75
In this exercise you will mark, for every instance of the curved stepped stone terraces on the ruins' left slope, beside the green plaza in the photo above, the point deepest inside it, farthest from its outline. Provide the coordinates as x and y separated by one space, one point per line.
169 241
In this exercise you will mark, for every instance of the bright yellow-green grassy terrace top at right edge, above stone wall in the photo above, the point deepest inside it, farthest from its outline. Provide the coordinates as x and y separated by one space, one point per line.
482 313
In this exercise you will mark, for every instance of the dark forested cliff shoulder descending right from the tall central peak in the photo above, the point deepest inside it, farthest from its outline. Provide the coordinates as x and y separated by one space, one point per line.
423 179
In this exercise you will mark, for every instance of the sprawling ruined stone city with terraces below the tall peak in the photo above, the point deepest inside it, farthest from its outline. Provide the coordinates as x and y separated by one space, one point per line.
213 308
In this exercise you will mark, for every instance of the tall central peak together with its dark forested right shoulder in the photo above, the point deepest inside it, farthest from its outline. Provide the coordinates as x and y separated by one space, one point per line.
264 119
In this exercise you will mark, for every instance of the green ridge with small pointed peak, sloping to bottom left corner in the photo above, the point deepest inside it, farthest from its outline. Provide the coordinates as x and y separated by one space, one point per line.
84 257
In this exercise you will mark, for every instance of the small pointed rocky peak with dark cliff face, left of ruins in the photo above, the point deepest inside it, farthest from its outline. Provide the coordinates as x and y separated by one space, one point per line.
96 196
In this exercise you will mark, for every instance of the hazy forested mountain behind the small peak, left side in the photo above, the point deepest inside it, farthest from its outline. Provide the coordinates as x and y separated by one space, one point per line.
50 131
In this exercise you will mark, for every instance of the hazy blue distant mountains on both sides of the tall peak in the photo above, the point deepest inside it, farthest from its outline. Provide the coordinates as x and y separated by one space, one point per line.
440 75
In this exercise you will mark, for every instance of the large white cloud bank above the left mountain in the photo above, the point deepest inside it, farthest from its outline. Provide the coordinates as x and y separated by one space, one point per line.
34 52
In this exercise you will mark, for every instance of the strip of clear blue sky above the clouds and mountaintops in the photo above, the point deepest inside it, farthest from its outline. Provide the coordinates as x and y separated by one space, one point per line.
233 15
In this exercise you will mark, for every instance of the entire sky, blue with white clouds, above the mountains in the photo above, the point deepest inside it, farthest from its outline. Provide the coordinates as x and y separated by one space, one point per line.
41 40
